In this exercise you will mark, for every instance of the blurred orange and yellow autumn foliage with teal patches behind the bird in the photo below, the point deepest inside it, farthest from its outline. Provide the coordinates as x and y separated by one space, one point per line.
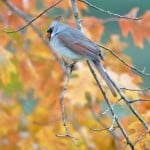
32 80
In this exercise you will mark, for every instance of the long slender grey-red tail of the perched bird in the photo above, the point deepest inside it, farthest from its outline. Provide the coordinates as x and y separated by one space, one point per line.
103 74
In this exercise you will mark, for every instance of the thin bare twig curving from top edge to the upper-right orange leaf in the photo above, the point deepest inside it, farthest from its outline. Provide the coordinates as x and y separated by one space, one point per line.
108 12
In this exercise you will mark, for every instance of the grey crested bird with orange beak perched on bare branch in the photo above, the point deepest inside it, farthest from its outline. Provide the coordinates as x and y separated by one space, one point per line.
72 44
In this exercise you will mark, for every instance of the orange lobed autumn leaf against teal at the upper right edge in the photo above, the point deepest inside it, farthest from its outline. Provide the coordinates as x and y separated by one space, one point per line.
139 29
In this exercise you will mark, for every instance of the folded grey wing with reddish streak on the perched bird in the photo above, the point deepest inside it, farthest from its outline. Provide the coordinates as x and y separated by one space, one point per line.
79 44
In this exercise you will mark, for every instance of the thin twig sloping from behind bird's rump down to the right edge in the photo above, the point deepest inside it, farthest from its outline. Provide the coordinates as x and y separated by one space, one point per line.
123 61
